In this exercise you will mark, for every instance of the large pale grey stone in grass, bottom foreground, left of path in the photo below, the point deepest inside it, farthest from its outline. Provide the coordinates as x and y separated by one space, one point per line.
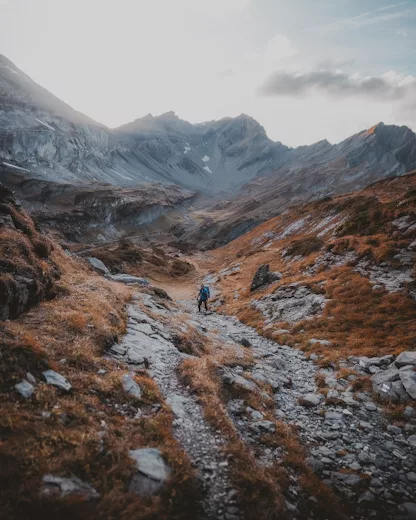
152 473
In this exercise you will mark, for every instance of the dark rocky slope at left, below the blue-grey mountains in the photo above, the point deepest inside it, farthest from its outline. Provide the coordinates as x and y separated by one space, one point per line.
94 213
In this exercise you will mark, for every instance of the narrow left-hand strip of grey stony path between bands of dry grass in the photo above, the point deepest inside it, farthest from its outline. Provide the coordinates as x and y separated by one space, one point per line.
149 341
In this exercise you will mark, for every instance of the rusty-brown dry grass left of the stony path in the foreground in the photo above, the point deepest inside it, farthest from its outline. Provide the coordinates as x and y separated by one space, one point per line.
88 431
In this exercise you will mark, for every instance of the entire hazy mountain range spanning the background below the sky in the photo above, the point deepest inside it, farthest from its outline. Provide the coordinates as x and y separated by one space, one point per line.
43 137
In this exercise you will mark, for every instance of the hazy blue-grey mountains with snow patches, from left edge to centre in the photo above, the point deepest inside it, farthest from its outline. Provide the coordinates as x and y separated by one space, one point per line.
45 138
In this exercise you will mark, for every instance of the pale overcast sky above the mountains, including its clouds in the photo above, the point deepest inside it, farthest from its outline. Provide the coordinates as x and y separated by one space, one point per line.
305 69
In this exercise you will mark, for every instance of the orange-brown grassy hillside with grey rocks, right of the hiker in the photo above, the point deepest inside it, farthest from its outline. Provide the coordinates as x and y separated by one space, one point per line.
356 253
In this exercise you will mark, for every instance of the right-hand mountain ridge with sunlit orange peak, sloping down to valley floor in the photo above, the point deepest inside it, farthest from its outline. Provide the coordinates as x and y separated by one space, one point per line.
310 173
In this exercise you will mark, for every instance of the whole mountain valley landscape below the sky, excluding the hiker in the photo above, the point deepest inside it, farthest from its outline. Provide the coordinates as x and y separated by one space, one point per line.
293 397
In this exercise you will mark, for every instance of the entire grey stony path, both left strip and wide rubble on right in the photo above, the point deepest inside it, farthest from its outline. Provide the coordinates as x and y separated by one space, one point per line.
350 444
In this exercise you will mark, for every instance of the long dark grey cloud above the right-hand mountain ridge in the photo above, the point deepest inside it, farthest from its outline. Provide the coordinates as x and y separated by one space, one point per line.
389 86
